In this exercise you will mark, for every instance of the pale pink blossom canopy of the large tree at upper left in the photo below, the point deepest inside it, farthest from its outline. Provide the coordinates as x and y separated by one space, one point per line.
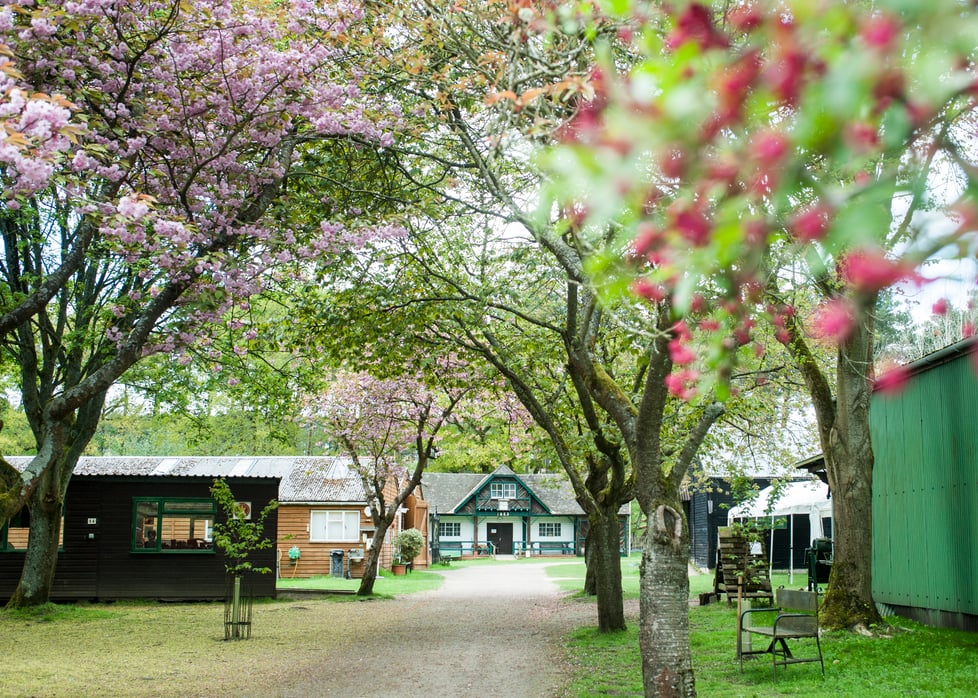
194 114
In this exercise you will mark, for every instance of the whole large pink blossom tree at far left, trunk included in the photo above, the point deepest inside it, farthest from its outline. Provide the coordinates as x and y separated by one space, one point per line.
170 207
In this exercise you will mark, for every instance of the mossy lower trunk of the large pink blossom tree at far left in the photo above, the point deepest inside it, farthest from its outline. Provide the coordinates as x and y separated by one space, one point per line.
46 504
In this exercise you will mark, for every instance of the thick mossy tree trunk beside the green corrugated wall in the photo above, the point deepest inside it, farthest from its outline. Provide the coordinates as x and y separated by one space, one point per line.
849 465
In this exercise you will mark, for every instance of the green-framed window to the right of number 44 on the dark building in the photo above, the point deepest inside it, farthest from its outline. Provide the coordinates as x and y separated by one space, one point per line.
173 525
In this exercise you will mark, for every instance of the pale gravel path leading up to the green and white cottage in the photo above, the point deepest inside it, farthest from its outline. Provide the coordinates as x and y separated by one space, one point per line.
488 631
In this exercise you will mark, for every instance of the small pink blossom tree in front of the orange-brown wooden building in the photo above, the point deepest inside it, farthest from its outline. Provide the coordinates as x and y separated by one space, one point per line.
389 427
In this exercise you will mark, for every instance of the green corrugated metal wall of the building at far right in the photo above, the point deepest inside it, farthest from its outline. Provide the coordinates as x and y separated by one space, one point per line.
925 491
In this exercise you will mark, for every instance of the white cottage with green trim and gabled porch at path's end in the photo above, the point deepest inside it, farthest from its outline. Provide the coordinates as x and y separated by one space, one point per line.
503 513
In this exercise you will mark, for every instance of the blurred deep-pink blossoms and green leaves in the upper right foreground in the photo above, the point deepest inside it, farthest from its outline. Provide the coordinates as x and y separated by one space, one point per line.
735 143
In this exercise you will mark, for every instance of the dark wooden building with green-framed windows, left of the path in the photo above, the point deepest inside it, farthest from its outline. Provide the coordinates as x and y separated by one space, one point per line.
142 528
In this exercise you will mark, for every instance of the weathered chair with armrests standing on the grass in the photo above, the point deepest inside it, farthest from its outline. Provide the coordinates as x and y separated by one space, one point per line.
795 617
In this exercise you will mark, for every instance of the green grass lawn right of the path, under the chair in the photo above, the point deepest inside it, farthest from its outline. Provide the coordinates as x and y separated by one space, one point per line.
914 661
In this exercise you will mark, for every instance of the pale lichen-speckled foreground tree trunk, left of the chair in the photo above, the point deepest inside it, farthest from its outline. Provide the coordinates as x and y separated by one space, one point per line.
667 665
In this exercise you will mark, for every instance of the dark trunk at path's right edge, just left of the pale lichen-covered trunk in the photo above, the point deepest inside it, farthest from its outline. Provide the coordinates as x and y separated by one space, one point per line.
604 548
